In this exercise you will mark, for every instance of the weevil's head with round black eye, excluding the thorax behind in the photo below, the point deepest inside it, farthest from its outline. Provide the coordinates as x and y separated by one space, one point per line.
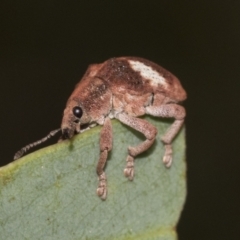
73 117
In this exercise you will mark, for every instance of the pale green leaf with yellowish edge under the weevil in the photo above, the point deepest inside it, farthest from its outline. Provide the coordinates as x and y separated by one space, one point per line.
51 193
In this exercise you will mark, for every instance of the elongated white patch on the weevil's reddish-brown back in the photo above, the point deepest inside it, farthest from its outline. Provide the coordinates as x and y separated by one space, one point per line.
148 73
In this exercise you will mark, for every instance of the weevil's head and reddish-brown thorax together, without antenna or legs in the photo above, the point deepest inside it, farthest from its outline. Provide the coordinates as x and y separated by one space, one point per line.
89 103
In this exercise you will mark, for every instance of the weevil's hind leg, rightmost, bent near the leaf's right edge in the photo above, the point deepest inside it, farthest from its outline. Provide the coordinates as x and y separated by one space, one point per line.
170 110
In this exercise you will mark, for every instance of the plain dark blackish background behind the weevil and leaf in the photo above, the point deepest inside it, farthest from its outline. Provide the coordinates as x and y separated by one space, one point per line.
46 46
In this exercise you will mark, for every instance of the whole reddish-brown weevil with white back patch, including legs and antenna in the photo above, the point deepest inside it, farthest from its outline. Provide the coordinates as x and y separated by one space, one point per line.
124 88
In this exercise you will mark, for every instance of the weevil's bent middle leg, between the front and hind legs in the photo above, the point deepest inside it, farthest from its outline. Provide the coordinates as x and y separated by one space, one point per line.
145 128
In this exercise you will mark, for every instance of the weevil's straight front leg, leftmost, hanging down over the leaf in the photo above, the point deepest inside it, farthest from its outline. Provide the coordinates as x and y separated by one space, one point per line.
105 147
